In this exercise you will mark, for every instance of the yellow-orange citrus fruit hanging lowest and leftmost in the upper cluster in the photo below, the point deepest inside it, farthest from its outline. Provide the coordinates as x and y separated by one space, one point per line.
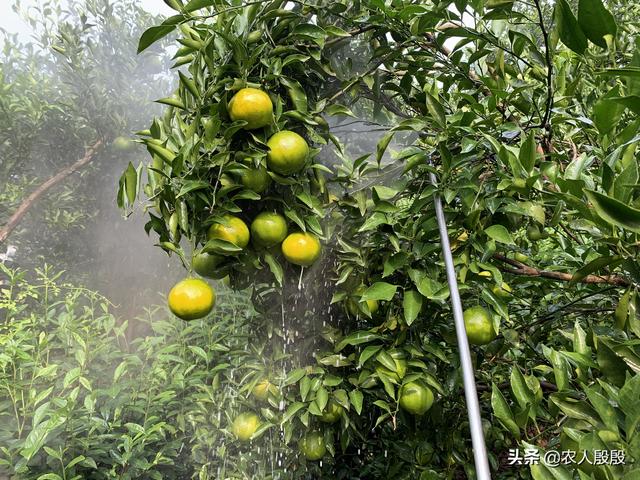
191 299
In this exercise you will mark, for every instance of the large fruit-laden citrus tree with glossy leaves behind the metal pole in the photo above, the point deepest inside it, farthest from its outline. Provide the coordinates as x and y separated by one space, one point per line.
521 116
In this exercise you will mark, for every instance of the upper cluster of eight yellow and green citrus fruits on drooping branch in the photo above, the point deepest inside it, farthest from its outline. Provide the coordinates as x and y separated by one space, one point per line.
287 155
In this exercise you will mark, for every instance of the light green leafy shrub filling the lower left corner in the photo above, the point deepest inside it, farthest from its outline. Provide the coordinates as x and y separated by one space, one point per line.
78 401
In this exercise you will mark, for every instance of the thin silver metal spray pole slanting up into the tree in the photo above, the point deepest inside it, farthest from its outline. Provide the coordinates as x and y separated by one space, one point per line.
471 396
